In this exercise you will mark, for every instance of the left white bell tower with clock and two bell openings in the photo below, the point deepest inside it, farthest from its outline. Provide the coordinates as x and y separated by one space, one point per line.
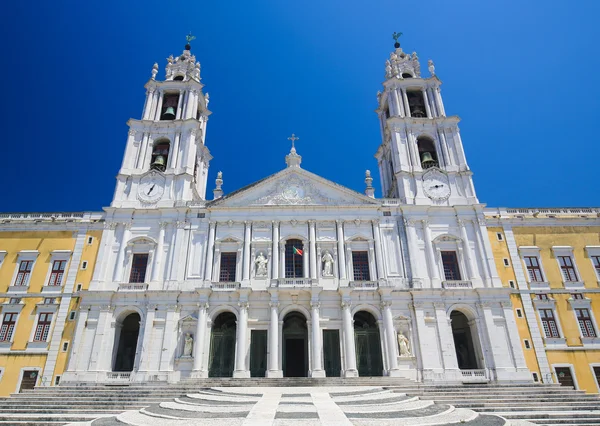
166 159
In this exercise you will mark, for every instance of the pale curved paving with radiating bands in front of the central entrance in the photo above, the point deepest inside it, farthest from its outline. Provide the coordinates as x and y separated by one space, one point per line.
301 406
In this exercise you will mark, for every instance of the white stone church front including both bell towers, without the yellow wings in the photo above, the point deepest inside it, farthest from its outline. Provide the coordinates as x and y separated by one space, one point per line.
405 288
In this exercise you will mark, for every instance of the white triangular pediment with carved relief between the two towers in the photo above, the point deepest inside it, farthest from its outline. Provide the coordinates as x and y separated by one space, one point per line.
294 187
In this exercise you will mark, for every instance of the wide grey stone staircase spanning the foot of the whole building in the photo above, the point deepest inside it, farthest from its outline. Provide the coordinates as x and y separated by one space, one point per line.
540 404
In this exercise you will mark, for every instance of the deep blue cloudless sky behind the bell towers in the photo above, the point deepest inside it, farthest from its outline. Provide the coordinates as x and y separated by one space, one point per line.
520 74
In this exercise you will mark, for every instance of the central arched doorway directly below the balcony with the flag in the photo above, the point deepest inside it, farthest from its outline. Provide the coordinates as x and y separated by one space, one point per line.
295 345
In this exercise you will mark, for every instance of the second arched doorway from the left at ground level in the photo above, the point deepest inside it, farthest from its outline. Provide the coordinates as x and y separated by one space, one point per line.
222 346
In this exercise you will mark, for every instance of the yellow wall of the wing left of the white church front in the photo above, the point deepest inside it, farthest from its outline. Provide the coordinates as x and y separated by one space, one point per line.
44 242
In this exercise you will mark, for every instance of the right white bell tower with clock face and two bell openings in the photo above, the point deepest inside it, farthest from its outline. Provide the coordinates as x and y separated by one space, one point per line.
421 157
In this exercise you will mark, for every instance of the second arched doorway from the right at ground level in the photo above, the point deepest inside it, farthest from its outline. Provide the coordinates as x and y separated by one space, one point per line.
368 345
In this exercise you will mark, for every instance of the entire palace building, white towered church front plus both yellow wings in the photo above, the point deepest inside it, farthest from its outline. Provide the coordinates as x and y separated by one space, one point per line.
295 275
